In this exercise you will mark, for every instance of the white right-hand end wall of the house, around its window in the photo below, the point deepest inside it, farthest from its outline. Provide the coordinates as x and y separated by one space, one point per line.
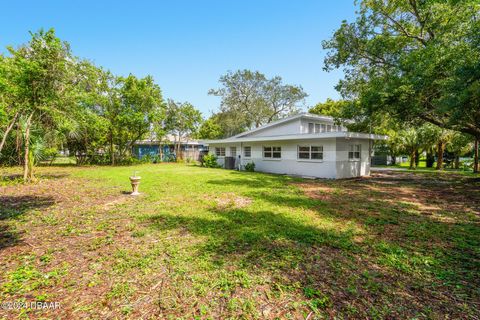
352 168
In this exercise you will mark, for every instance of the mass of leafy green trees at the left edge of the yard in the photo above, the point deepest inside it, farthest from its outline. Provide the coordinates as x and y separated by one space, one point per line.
69 102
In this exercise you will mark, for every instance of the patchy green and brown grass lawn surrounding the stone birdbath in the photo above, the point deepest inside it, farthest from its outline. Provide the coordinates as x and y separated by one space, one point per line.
211 243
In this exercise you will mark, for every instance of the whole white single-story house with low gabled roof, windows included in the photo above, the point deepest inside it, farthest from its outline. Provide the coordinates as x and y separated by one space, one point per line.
305 145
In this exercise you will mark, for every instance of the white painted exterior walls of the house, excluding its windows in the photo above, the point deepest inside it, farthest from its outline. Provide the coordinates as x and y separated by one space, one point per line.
293 133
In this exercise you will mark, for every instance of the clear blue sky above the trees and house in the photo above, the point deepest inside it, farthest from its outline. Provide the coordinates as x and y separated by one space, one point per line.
187 45
